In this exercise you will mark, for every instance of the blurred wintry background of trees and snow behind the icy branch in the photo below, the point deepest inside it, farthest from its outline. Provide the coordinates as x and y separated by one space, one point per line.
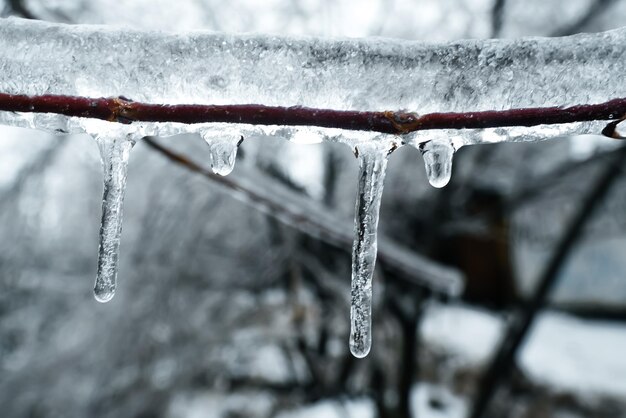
223 311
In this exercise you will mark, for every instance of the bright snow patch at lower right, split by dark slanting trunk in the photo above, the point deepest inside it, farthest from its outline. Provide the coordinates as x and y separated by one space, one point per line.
563 352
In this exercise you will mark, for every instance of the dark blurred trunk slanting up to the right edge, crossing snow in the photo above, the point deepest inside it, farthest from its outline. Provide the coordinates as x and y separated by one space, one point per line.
500 367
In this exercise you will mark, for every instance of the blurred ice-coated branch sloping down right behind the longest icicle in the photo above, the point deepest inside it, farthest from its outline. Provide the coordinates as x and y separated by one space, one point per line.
313 219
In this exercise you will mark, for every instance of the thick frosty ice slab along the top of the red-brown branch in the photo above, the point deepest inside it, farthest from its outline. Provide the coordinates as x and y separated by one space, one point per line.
344 74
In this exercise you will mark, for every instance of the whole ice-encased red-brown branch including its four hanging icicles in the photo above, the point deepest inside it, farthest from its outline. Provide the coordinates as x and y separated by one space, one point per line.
63 78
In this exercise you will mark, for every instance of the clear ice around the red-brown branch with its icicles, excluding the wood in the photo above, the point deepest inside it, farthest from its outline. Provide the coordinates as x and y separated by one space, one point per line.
374 74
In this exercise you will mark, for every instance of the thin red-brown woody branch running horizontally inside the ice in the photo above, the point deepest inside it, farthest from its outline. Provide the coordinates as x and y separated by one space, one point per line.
123 110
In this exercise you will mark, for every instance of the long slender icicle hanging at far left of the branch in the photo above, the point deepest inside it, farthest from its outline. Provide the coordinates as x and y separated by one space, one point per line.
114 153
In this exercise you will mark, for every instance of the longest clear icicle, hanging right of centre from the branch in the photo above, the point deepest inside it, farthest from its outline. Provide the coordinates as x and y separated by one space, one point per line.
373 164
